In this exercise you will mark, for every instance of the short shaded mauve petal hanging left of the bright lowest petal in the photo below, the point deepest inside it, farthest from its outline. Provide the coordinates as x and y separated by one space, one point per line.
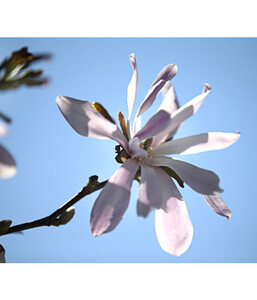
150 194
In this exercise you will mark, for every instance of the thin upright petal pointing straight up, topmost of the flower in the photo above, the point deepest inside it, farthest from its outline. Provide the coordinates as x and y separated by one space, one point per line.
133 85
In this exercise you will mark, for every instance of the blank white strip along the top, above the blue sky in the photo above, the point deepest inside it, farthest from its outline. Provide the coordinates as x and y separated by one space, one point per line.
134 18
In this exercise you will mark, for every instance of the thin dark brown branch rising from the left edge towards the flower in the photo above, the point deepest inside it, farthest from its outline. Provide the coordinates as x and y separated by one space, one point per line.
92 186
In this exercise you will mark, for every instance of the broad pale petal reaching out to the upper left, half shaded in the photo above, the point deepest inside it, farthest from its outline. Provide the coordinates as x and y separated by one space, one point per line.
85 120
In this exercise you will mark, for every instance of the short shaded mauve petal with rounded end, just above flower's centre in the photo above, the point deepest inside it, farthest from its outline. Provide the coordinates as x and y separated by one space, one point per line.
154 126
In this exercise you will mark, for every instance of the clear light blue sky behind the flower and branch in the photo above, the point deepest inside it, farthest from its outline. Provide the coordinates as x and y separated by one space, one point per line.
55 162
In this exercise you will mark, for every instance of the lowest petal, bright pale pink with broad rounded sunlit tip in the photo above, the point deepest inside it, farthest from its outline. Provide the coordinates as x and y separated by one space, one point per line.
173 226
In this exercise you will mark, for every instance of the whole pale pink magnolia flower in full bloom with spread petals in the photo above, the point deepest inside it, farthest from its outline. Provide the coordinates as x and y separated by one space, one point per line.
142 153
